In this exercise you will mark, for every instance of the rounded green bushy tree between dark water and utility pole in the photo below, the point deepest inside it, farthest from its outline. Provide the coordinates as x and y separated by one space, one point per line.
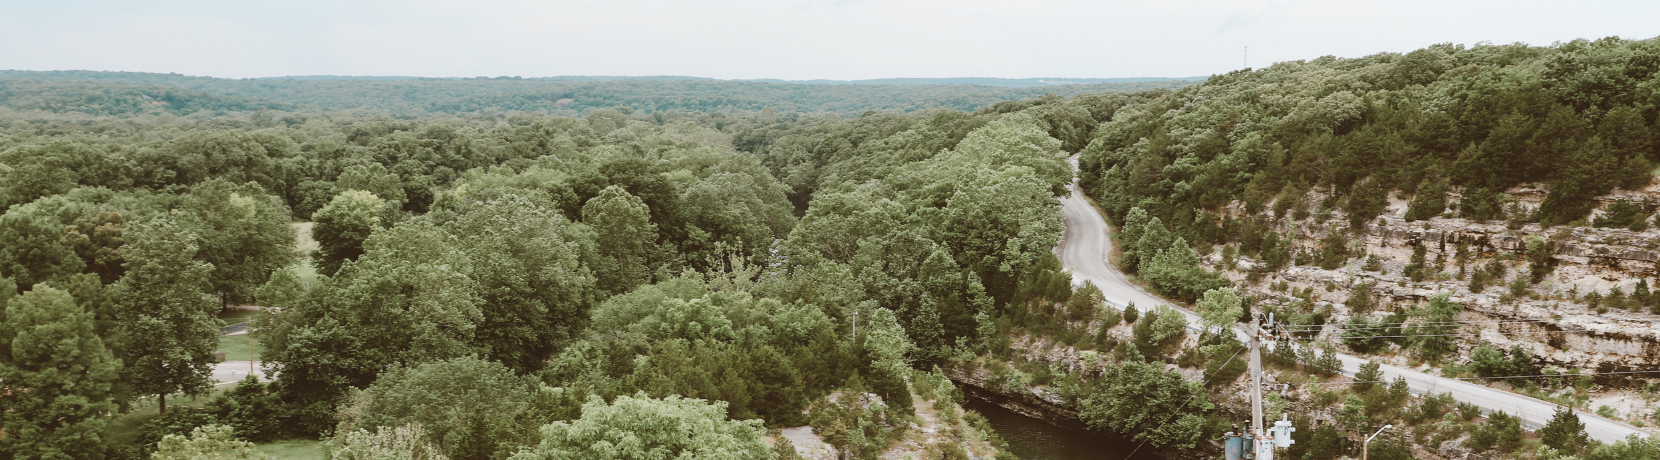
1155 406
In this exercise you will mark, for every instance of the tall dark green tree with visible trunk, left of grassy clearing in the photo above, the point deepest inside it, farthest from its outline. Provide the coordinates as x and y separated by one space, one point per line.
165 311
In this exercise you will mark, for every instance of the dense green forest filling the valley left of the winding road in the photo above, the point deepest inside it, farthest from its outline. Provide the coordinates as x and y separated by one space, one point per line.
710 262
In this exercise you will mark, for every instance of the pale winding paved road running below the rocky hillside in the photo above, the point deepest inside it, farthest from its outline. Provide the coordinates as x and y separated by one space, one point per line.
1085 252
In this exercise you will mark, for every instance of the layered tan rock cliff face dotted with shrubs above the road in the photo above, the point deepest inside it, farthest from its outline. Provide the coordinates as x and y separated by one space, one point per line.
1551 320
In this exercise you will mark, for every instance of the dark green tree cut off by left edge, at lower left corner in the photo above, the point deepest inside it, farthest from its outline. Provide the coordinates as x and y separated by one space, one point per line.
59 378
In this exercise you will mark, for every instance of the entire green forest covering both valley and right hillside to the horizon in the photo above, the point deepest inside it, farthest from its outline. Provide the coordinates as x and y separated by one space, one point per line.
693 253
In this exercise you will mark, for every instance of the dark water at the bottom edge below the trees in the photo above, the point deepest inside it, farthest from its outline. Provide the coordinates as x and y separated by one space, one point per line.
1033 439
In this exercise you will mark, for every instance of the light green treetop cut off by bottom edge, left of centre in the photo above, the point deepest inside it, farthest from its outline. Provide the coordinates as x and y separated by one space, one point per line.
645 428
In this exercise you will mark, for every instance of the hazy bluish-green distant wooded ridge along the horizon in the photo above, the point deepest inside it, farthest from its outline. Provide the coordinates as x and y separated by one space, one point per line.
130 94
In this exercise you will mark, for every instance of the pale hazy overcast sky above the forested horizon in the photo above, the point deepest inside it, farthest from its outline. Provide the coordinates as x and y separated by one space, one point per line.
753 39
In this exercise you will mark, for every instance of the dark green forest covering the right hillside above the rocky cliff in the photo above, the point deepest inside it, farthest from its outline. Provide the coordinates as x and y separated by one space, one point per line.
1579 117
